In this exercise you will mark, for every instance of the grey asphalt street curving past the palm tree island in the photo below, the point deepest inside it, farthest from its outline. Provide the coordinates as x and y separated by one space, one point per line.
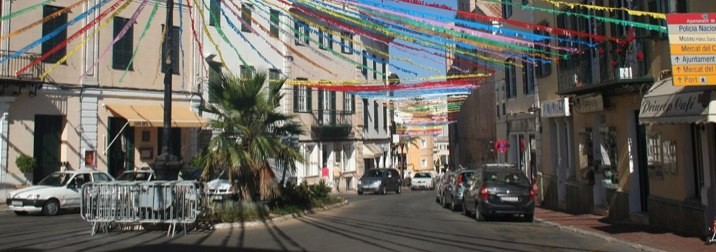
411 221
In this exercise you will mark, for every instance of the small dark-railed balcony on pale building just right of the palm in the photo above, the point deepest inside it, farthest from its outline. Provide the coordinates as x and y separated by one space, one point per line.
332 124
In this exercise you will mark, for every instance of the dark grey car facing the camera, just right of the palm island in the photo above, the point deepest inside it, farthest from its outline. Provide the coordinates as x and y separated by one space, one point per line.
380 181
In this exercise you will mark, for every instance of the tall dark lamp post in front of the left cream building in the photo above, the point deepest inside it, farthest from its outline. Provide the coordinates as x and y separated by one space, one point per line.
167 164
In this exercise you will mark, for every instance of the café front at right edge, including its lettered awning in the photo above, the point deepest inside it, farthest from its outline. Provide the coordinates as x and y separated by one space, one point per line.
680 143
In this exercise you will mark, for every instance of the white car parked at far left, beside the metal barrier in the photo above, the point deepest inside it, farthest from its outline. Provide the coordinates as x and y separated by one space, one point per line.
59 190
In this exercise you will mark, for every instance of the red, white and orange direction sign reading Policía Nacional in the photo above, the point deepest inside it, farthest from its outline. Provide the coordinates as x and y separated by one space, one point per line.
692 42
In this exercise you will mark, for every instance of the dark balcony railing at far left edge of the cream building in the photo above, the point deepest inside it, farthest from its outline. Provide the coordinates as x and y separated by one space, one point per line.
9 68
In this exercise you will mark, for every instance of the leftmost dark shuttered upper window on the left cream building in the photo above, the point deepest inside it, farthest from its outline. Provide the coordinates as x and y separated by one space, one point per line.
50 26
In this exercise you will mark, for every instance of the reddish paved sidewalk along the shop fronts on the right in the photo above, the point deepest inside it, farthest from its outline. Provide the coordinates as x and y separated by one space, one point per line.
643 237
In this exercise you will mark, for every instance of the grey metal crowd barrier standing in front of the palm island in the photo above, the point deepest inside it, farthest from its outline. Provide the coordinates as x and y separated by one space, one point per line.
117 203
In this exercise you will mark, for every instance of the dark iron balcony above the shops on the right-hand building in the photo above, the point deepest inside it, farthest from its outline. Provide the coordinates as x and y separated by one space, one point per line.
594 70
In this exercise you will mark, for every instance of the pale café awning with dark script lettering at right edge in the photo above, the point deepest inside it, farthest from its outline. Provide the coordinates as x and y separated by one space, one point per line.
666 103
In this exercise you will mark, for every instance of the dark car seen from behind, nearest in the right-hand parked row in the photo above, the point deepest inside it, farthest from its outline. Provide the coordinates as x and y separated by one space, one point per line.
500 189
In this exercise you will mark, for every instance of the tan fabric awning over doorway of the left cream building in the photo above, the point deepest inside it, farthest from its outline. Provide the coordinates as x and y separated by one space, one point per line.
153 116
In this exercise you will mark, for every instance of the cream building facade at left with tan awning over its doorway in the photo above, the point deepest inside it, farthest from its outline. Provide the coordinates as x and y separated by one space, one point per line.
92 104
